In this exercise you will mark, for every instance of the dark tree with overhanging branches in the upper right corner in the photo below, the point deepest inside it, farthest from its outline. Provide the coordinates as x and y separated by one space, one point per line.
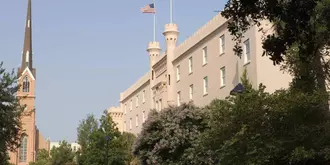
301 36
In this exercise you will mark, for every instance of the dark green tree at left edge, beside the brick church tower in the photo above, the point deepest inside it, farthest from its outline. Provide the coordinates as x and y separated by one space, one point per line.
10 113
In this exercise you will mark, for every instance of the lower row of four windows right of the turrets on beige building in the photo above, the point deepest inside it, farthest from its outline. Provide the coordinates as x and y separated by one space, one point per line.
205 85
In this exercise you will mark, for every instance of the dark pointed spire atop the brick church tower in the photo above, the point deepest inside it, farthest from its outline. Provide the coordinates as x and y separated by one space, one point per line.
27 49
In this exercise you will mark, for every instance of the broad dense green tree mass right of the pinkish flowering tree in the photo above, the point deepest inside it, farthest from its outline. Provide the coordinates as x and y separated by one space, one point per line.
255 127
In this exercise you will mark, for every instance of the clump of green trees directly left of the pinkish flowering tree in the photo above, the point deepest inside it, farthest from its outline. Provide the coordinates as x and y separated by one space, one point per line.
93 136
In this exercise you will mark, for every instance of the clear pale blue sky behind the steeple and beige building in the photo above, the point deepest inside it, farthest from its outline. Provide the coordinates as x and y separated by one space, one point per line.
80 51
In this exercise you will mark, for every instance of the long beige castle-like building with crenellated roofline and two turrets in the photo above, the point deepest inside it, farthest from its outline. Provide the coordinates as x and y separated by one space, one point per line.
198 70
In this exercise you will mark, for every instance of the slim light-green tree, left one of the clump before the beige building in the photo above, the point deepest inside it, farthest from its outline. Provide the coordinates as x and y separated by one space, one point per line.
85 129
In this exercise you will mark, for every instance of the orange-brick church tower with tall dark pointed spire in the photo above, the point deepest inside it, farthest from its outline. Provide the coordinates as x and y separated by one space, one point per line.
32 140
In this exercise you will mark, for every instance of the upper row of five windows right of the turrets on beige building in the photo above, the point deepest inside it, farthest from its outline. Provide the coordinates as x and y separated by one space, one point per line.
246 55
